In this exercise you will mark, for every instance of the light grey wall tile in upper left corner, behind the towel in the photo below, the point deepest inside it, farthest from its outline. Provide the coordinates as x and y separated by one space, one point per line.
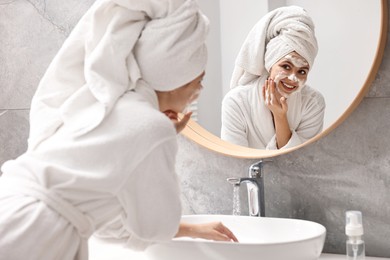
41 28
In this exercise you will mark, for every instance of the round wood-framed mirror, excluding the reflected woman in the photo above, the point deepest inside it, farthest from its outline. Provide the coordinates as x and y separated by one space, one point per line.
351 36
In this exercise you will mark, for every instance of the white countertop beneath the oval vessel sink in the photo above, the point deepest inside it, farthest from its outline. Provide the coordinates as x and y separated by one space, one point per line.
103 251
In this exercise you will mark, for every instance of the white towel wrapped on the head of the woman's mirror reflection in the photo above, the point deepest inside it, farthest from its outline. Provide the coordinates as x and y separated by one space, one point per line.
278 33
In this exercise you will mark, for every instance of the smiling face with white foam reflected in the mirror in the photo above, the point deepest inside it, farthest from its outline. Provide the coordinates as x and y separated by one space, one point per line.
290 73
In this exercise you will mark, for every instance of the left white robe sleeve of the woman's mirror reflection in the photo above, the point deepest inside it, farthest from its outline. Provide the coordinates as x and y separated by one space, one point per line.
233 128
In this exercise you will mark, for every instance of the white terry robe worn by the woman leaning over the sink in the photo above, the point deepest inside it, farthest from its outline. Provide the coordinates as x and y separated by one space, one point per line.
54 197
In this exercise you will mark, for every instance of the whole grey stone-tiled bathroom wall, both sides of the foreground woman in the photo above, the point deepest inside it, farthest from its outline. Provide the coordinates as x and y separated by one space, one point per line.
348 169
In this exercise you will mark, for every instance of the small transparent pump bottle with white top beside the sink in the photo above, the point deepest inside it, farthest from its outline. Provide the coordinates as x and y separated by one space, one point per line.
354 231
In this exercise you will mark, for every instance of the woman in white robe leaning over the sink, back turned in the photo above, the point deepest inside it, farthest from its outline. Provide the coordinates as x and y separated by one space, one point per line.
103 127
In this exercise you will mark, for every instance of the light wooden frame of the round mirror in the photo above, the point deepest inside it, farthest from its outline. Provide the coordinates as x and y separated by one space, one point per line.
204 138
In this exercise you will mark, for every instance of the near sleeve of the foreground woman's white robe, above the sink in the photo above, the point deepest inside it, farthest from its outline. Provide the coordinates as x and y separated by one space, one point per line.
150 198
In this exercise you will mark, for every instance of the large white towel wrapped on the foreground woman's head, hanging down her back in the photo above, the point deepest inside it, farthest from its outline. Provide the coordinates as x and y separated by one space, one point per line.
118 45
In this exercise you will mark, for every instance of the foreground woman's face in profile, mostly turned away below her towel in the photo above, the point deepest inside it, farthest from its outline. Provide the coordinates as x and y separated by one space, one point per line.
178 99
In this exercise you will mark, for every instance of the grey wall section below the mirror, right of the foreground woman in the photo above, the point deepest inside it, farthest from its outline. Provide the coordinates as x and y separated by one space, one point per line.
347 170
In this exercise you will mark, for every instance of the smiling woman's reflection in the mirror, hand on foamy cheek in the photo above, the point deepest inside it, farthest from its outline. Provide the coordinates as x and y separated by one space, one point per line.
269 105
